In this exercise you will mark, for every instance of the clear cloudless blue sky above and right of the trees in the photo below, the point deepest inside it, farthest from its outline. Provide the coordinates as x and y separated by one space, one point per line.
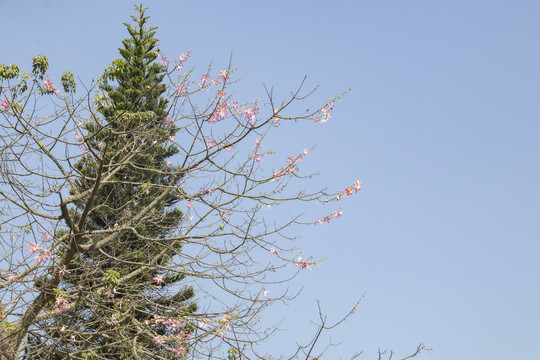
442 126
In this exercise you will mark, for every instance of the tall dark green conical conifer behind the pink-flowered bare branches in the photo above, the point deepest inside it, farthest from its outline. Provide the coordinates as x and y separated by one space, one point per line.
129 180
